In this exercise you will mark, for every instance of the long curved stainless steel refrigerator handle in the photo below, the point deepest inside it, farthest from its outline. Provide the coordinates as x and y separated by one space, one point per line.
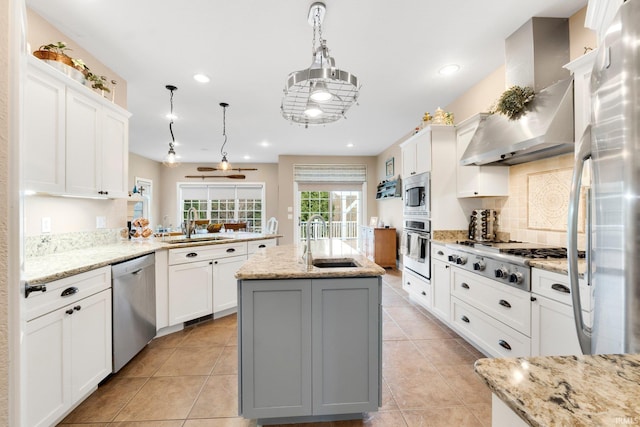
583 153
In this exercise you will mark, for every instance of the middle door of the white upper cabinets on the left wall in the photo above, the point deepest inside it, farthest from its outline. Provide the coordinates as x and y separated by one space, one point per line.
83 136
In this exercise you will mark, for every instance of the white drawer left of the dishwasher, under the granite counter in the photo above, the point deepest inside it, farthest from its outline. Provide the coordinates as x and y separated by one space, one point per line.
74 289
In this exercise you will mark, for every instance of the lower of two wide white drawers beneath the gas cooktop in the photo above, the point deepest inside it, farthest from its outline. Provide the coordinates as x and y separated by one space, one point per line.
495 338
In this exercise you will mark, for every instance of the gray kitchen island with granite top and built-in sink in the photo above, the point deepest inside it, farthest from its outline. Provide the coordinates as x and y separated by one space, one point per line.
309 338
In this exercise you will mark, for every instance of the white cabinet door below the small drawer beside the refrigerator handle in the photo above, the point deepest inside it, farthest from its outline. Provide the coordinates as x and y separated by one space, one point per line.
553 330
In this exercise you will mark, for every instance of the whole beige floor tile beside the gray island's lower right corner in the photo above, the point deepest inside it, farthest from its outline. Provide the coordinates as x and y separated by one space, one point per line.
426 391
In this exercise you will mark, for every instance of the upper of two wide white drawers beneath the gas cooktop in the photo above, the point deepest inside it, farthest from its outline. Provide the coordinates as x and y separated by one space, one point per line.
508 305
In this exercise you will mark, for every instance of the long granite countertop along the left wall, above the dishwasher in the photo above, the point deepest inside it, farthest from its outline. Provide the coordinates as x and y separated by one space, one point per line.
43 269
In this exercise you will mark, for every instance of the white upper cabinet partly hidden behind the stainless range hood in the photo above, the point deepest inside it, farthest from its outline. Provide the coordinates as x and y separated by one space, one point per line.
478 181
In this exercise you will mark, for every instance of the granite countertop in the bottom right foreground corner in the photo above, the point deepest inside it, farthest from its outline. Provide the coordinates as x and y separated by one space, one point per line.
592 390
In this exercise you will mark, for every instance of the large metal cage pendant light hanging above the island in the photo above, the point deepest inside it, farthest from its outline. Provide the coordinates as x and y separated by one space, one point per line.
321 93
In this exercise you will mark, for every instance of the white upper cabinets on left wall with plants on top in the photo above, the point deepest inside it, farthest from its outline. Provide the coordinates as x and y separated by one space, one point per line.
75 142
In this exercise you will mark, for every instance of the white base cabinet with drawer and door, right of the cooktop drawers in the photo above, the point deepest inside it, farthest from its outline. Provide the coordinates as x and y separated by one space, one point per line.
553 328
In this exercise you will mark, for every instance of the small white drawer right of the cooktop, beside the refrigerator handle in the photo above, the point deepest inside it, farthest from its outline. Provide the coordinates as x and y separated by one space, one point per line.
556 286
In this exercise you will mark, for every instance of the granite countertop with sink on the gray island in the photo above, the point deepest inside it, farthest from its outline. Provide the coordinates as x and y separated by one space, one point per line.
285 262
